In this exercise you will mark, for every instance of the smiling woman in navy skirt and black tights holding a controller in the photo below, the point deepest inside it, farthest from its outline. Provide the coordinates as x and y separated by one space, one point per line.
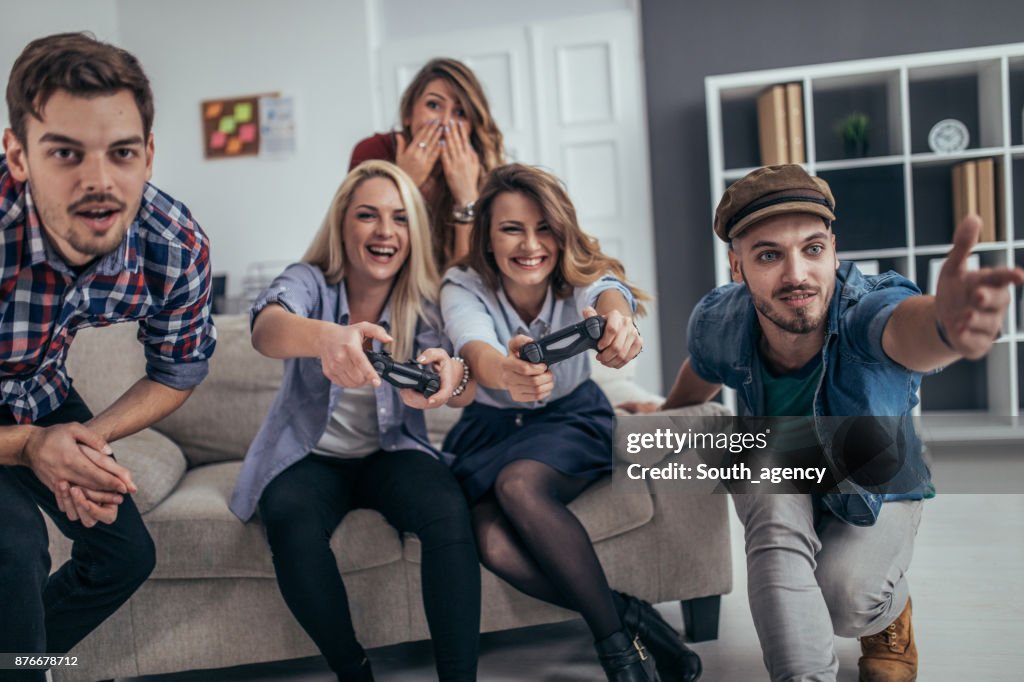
537 437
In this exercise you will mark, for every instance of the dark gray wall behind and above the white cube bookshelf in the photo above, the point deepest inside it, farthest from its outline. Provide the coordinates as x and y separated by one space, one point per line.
684 42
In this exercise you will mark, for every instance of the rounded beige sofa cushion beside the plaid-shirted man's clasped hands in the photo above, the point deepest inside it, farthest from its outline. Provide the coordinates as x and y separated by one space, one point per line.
156 465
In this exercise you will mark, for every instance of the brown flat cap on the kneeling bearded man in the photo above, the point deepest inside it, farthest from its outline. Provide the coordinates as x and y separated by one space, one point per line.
772 191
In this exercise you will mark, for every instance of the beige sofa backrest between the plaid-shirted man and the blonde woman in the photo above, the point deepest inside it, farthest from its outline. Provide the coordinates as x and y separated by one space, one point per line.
225 413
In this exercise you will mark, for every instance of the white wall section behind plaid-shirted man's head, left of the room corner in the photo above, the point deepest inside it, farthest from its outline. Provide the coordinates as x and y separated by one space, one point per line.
23 22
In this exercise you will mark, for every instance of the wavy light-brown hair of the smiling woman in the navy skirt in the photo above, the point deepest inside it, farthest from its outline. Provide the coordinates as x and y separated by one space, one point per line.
581 262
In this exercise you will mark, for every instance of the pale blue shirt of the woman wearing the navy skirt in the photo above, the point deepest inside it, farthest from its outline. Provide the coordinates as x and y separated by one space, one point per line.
474 312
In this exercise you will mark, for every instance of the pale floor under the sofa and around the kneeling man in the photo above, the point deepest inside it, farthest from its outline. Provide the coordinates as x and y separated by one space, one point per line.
969 617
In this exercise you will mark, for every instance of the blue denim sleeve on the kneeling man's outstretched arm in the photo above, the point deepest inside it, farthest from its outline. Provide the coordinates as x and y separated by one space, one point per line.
866 320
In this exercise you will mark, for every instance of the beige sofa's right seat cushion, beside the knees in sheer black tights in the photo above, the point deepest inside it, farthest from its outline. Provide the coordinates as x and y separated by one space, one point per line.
604 514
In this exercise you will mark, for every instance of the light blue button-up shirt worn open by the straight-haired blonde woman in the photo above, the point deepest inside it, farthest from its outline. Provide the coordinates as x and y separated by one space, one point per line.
307 400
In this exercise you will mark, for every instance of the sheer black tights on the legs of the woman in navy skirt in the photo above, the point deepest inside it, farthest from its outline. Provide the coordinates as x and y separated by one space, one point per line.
528 537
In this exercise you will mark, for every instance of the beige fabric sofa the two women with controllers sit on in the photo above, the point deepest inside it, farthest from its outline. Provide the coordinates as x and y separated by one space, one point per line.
214 602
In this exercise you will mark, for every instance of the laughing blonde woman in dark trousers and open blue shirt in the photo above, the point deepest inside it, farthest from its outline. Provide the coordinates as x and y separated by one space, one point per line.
337 439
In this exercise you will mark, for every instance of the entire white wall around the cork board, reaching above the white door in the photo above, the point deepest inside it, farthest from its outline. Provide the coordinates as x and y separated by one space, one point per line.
317 51
